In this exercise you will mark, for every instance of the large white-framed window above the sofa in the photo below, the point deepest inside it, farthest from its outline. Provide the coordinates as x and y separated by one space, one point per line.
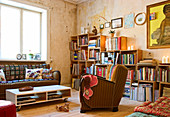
21 31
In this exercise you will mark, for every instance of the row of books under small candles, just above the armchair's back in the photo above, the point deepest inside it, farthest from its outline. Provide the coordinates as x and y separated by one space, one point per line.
128 59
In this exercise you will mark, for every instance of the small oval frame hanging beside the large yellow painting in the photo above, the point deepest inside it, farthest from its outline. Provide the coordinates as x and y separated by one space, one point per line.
140 18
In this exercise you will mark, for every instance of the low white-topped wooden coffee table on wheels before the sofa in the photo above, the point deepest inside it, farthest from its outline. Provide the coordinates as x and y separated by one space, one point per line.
38 95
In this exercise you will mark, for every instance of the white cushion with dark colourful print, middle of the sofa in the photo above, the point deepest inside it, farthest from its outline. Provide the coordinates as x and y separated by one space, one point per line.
33 73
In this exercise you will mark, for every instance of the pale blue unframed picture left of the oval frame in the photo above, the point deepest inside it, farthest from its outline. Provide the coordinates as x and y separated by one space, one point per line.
129 20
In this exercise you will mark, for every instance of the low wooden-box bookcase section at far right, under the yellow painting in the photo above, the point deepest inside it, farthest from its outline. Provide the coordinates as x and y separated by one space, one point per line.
151 80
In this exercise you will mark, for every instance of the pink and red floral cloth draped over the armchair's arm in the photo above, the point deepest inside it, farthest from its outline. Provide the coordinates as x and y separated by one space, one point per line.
89 81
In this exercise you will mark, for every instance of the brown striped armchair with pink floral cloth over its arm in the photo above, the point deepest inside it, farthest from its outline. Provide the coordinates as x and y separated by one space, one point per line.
106 94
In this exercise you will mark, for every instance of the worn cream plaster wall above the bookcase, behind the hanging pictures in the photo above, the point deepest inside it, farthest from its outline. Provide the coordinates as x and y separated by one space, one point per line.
89 12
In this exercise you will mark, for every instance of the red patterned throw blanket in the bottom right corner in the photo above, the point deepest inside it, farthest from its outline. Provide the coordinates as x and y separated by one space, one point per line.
161 107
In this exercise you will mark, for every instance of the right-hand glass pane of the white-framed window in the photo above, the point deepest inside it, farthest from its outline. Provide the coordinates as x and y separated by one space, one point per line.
31 32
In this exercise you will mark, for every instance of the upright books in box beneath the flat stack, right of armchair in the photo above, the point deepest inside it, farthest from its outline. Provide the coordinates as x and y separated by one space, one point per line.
147 73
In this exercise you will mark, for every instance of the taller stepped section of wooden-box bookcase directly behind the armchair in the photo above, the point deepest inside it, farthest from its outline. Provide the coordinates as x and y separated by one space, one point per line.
92 54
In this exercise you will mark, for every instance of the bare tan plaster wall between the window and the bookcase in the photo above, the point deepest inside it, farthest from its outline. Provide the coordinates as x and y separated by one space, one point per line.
63 21
